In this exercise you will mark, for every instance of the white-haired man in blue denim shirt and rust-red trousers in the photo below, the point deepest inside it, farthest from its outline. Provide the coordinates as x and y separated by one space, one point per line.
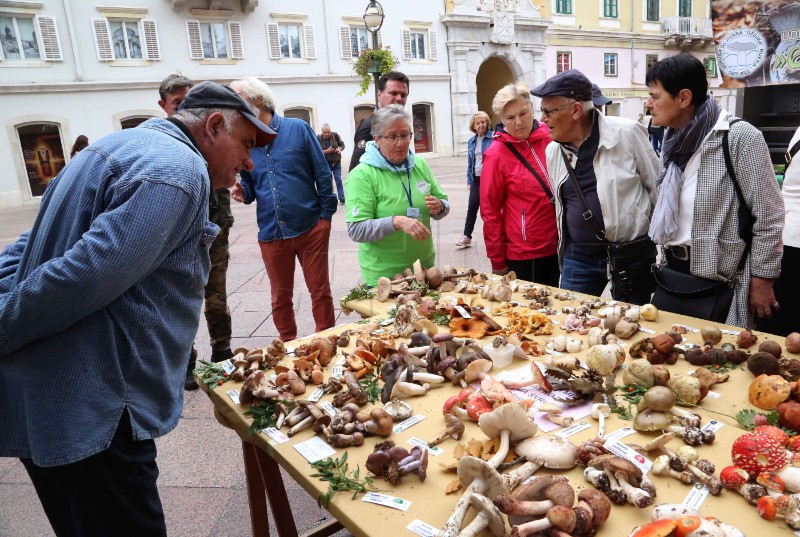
291 183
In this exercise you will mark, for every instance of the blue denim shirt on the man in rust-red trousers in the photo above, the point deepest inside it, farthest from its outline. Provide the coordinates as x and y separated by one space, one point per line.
291 182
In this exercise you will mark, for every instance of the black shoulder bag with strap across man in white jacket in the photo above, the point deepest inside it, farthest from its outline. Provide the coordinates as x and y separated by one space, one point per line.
630 262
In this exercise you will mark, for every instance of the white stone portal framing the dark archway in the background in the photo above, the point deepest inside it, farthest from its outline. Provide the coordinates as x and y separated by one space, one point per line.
470 45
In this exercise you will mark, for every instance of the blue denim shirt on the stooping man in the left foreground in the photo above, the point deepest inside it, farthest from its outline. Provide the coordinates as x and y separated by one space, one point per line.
100 301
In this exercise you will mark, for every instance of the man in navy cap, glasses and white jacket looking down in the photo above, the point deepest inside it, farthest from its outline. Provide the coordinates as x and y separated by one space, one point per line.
604 173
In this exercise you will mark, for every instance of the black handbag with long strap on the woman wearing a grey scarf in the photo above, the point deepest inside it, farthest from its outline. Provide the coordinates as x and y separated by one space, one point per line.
692 295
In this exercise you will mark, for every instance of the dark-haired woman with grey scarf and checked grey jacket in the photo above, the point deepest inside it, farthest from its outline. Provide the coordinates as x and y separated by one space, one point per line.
695 218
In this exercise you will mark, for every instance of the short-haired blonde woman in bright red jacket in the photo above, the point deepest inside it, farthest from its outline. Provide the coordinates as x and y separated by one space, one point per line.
519 219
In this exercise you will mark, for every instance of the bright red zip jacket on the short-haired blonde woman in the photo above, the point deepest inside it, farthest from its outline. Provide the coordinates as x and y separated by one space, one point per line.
519 221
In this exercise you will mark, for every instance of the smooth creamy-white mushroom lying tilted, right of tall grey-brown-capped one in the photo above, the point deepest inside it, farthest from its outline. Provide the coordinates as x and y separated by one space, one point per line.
552 452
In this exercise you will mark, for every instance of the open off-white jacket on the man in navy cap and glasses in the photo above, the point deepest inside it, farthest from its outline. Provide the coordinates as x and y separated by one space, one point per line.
626 168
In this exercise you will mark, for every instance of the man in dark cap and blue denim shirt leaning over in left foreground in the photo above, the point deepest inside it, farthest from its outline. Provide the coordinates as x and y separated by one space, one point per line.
99 304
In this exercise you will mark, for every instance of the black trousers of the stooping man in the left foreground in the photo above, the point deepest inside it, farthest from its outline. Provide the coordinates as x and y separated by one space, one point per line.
111 493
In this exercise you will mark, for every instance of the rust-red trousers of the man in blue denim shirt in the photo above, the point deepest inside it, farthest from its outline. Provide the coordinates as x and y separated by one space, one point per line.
311 248
